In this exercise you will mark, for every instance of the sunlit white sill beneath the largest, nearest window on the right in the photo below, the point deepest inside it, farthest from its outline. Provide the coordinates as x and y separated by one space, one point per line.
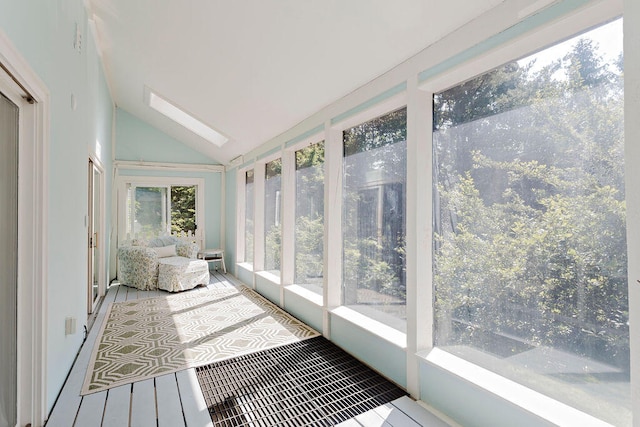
543 406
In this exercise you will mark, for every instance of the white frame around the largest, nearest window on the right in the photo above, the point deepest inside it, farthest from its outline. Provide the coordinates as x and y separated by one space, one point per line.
534 41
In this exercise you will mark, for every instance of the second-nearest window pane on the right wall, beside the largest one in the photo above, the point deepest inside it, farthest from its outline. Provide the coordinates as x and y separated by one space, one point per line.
374 218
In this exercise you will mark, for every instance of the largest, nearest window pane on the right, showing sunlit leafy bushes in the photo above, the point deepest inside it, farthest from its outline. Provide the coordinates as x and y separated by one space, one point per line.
530 257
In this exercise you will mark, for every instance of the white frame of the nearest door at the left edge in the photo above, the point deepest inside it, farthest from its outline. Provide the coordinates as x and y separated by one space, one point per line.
33 195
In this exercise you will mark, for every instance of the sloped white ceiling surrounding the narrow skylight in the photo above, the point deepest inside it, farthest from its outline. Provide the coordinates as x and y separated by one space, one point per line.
252 69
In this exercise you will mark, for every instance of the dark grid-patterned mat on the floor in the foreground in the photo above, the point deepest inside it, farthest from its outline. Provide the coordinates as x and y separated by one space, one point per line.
311 382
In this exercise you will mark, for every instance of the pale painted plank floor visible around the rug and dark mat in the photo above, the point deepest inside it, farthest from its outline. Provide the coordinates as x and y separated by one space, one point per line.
175 400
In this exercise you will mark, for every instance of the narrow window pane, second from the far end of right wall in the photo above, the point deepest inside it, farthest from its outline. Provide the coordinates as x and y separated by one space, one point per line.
272 227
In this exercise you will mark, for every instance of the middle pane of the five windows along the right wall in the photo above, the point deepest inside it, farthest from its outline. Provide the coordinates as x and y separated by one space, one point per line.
310 217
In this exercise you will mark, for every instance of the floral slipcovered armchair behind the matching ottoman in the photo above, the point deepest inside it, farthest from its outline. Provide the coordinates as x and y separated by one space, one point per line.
138 260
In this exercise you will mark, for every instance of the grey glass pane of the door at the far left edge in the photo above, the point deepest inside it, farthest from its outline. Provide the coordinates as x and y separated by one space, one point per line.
8 260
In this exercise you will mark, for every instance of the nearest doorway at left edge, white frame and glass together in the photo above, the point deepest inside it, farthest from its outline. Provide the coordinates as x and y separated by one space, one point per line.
24 160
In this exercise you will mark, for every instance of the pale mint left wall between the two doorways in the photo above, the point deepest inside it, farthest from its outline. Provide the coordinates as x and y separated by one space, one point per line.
80 125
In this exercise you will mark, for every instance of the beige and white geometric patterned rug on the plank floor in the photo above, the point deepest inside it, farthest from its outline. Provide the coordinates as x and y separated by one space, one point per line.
145 338
